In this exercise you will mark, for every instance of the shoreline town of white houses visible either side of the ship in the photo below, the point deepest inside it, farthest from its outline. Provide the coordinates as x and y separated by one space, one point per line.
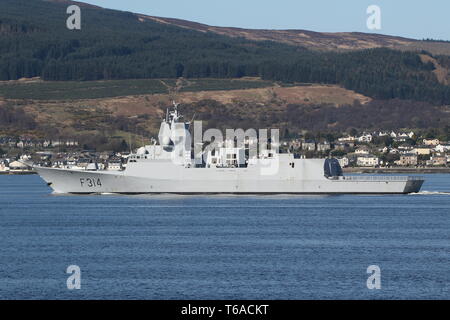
384 149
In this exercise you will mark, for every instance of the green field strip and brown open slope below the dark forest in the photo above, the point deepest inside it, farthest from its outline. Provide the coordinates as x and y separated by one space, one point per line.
138 105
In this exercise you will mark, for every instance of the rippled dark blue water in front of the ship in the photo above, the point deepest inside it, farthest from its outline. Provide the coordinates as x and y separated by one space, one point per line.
223 247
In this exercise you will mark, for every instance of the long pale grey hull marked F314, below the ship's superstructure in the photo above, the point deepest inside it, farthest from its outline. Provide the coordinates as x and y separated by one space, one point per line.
225 182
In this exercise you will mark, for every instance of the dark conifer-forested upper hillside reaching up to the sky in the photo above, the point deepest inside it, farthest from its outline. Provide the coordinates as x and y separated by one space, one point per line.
114 45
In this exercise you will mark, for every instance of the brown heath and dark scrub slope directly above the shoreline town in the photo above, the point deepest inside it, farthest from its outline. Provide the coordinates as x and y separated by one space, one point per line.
294 110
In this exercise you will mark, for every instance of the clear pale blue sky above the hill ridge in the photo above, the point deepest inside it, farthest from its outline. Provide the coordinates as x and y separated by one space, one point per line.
416 19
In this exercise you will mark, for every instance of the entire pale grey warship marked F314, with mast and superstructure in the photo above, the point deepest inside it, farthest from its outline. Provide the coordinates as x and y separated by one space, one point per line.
171 166
